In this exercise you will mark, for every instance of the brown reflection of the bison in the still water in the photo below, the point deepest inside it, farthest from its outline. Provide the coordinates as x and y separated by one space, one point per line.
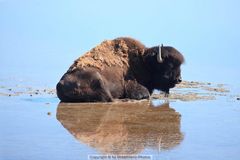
122 128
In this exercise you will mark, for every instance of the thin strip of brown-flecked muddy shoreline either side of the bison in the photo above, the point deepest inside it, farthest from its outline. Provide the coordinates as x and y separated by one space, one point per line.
185 91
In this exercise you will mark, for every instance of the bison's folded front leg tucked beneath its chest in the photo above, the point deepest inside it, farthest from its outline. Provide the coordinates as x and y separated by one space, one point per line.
134 90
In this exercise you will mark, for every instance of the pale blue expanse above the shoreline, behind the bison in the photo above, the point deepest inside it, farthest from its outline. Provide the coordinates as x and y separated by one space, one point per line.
41 38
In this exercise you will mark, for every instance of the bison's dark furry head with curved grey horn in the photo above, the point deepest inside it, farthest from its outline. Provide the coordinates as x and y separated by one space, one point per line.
164 63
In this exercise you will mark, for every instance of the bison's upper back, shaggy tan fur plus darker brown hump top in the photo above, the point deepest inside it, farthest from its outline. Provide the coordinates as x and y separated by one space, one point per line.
110 53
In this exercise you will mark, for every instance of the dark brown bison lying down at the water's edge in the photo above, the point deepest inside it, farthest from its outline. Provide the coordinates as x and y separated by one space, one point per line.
120 68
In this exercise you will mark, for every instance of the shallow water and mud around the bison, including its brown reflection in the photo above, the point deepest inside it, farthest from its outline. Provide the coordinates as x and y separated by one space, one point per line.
199 120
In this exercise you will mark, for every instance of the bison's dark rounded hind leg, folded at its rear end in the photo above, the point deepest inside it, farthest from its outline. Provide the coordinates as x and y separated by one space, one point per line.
83 86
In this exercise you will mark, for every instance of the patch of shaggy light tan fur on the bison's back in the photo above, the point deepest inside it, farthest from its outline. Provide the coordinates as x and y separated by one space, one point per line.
106 54
